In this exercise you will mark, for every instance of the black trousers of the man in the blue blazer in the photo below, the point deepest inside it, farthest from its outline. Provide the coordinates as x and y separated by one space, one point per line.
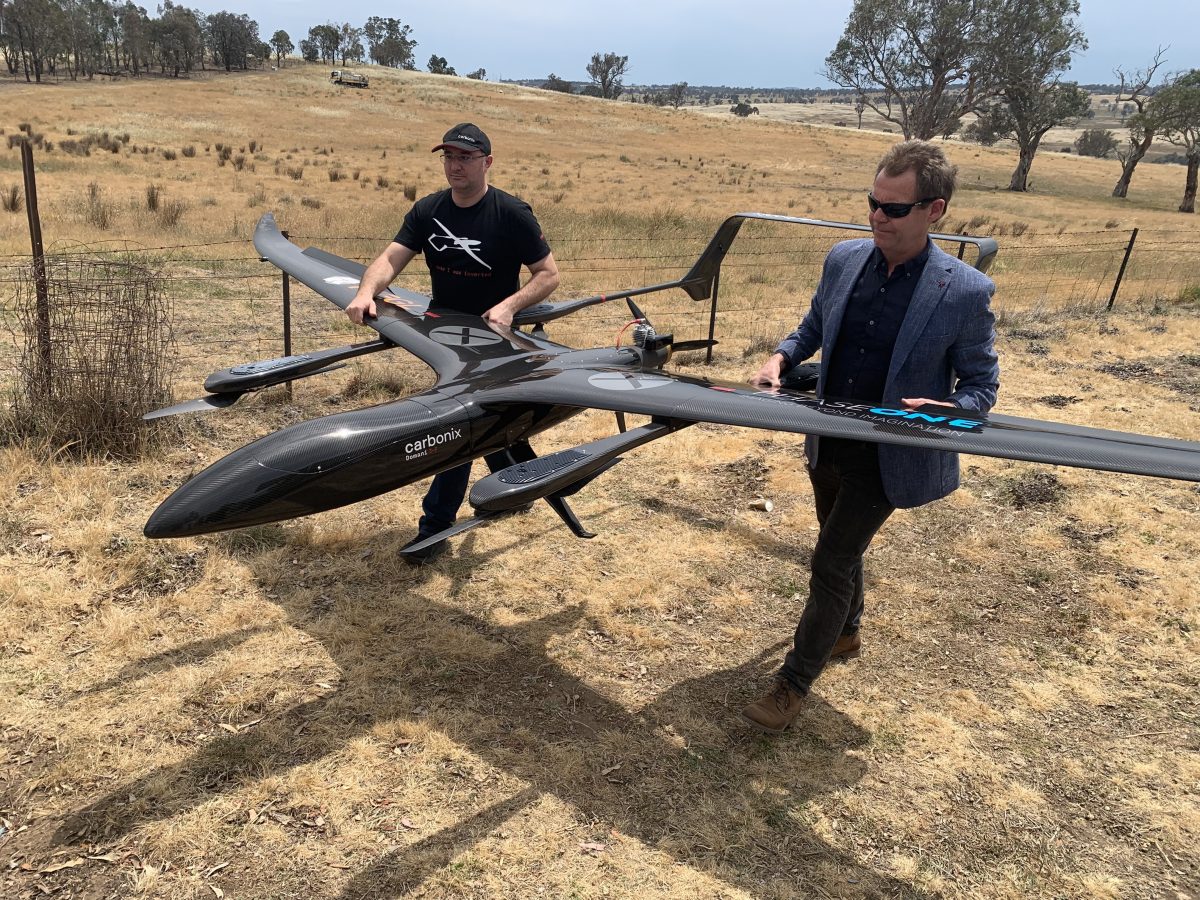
851 508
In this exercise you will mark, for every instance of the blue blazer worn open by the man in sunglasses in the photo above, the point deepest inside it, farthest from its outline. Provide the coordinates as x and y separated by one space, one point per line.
945 351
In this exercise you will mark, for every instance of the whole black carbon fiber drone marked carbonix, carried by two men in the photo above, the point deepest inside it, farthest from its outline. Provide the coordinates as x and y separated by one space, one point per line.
499 388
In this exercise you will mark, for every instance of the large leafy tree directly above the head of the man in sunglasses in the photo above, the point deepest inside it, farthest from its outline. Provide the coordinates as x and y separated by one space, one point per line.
920 64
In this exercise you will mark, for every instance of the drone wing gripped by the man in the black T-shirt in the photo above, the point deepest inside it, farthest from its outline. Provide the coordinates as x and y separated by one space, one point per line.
451 344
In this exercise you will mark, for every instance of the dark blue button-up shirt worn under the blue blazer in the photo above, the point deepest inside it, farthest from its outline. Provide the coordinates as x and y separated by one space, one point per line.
859 369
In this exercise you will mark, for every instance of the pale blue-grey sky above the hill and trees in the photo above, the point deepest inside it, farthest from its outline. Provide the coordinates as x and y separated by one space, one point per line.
771 44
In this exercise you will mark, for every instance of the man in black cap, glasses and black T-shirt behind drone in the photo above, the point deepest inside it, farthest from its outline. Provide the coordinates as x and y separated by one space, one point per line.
476 238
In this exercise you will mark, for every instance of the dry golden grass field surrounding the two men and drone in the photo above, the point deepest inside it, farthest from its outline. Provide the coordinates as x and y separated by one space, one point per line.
292 712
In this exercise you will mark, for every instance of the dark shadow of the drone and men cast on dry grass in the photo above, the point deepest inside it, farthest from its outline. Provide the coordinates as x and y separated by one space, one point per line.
693 769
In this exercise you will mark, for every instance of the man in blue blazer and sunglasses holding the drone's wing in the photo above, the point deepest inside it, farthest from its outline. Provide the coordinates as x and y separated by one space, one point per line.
898 322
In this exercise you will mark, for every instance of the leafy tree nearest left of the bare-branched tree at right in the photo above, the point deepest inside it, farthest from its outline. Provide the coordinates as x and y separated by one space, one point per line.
1039 39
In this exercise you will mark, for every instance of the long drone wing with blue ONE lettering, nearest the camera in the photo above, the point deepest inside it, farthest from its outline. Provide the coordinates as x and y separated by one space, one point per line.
677 399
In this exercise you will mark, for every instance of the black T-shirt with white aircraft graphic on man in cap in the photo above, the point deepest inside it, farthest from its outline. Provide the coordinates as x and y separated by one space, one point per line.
475 254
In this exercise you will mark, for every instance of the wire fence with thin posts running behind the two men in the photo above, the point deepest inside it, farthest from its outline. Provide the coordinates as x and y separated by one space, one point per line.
229 302
